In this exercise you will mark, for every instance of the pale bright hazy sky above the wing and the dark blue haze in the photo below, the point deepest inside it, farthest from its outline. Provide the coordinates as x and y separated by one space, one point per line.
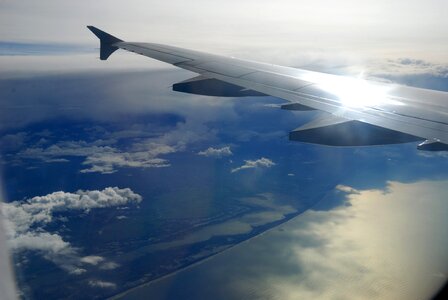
292 33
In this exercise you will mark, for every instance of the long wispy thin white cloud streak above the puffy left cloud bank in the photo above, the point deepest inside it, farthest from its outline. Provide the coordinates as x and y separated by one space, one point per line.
105 156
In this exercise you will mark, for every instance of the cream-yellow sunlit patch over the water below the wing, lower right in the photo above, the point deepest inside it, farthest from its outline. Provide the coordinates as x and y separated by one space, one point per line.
369 240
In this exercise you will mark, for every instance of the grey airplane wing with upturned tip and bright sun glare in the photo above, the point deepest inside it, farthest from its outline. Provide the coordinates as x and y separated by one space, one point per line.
356 112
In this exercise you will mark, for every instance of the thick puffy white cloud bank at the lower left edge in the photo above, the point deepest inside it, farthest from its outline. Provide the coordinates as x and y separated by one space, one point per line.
25 223
